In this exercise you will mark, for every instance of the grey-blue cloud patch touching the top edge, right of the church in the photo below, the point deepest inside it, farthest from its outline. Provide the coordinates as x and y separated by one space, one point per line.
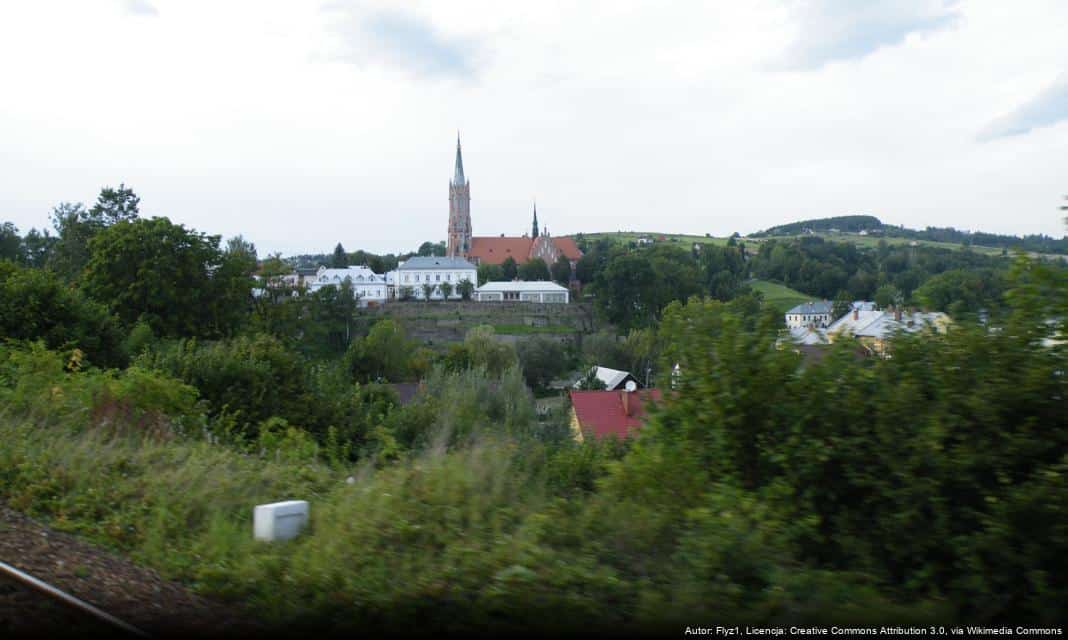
831 30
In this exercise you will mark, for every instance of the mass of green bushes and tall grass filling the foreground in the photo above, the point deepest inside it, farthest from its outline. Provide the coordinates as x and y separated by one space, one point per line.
924 488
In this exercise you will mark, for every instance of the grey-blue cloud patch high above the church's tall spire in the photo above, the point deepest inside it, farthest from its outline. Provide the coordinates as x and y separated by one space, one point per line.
402 40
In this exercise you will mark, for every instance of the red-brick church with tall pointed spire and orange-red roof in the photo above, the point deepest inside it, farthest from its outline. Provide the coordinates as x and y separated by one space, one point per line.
496 251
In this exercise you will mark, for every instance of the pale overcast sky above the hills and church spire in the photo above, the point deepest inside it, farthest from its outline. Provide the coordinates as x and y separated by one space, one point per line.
306 124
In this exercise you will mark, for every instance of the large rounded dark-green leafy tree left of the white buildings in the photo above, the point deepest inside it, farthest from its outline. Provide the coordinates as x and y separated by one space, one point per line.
174 278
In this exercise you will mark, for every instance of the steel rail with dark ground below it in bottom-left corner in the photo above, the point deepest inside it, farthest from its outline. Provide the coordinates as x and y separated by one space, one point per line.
30 606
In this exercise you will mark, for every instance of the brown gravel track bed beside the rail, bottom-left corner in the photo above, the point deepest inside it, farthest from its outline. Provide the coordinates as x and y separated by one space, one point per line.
133 594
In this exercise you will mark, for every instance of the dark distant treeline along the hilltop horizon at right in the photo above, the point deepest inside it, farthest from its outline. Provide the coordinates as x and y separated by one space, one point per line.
1042 244
